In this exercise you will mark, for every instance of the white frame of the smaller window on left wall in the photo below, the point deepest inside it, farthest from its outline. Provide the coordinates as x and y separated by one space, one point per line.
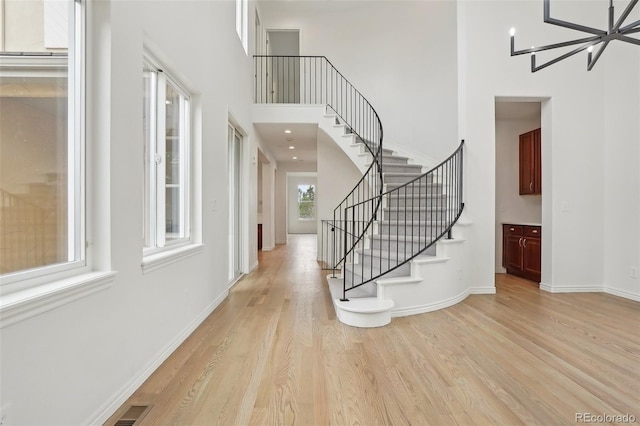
154 220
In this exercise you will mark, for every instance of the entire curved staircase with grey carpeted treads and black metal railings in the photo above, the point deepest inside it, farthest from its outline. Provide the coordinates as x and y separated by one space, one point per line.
392 243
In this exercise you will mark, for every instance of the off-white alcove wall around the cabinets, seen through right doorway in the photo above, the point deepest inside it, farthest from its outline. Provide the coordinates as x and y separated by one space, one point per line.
511 207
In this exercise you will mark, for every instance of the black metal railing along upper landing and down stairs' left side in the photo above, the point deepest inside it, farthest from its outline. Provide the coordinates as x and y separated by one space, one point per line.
314 80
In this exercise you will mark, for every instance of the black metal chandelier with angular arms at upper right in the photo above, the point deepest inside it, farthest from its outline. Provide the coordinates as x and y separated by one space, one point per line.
617 31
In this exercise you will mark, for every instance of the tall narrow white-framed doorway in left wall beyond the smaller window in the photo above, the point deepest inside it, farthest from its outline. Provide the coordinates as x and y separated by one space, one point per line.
235 179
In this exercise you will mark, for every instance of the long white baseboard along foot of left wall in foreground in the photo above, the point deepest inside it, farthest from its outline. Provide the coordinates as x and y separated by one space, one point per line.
110 407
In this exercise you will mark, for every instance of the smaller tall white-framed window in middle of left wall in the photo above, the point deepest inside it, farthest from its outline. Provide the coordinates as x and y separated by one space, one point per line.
166 116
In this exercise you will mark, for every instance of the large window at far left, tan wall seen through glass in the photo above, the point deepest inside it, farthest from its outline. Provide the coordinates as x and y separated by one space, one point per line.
41 138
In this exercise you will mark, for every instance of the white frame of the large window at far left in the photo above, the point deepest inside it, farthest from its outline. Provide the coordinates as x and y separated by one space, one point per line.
37 64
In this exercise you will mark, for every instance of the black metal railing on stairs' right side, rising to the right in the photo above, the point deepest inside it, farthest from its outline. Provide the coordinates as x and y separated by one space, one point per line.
415 216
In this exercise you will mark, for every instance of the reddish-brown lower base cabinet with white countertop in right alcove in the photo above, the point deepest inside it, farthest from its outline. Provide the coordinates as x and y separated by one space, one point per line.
521 250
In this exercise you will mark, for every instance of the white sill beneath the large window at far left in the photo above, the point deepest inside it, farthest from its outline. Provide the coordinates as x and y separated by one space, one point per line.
18 306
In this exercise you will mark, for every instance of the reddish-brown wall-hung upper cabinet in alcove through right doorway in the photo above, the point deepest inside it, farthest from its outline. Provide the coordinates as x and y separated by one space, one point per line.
530 163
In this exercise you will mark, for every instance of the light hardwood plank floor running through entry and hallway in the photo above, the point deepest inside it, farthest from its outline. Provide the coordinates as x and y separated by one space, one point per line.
274 353
